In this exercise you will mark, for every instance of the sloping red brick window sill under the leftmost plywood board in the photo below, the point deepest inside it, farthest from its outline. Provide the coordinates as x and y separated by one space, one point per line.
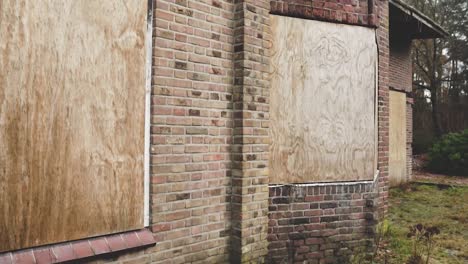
80 249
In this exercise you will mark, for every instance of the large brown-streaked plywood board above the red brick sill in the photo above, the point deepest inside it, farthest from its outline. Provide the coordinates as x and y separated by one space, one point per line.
72 98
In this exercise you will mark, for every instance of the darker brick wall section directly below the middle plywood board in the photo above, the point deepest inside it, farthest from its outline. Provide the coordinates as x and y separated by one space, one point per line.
321 223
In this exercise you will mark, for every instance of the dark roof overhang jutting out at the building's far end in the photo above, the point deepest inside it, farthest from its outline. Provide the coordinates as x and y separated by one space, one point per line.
415 24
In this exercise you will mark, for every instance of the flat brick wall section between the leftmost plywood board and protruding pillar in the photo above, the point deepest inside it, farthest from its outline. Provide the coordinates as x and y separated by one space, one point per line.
191 130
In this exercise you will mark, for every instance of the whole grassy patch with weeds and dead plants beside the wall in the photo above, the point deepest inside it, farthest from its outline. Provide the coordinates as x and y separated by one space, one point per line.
427 223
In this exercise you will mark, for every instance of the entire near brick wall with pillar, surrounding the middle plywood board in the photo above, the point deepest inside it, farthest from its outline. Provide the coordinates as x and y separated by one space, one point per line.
210 199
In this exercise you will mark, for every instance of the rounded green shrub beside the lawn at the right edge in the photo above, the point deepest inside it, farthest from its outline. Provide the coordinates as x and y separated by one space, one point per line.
449 155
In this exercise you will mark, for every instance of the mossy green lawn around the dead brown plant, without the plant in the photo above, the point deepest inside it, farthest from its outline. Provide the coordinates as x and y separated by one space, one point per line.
435 205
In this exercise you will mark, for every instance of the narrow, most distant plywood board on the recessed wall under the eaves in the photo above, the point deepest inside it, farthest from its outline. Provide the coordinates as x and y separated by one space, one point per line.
397 138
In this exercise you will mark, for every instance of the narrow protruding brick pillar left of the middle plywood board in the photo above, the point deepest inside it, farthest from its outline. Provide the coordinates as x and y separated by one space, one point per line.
250 148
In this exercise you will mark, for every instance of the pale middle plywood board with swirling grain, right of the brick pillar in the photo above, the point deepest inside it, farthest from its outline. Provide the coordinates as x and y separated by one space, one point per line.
322 107
